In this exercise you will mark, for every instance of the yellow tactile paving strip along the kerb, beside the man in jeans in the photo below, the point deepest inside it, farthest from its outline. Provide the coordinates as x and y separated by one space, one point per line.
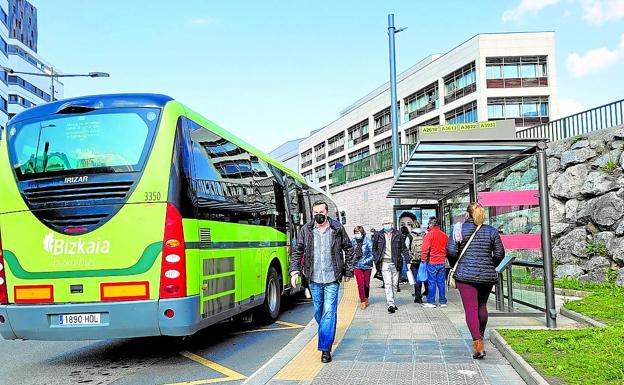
307 364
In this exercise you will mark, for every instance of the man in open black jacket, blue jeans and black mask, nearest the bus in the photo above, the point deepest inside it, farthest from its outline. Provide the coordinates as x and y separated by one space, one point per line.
324 255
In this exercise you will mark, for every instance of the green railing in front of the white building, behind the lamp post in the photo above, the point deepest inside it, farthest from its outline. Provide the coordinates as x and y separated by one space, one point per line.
373 164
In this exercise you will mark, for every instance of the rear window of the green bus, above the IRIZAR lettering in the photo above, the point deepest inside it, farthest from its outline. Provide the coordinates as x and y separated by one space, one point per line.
115 140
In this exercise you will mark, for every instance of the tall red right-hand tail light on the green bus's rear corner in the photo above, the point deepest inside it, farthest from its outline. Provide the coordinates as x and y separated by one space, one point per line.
173 267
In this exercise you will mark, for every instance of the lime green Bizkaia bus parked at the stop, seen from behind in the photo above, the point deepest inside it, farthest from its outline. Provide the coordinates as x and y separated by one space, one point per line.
130 215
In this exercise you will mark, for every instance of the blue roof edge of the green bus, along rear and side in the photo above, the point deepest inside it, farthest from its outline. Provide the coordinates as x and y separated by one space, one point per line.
136 100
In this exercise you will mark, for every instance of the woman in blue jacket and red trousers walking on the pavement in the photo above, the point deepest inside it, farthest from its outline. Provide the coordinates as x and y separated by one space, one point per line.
363 257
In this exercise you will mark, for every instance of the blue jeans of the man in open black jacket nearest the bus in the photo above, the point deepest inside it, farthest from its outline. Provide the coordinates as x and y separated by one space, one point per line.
325 299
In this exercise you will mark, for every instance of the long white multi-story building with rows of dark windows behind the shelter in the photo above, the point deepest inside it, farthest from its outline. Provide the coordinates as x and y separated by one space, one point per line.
488 77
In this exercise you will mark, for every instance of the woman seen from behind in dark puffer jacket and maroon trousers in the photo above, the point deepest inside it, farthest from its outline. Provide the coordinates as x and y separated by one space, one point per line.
475 274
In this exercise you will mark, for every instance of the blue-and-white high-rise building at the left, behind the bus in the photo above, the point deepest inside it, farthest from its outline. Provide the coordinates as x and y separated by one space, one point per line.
18 46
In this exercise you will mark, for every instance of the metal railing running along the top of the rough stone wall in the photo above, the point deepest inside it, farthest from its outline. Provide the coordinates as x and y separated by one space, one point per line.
608 115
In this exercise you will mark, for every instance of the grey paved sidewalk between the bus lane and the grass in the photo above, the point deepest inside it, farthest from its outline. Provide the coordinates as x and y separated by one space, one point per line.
412 346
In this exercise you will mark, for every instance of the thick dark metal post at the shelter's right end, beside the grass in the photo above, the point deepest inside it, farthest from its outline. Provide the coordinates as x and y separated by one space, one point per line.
549 279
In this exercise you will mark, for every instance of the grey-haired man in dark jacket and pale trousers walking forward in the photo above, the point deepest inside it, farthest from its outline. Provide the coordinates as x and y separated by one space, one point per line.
389 248
